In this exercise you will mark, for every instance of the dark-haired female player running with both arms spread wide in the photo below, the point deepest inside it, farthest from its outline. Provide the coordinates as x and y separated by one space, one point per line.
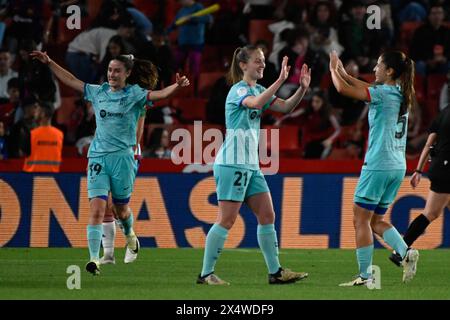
111 167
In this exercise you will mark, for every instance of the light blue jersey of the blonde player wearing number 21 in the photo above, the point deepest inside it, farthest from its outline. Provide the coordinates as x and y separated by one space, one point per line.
240 148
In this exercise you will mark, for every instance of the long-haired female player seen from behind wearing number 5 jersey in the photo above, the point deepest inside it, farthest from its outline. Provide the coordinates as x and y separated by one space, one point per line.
390 101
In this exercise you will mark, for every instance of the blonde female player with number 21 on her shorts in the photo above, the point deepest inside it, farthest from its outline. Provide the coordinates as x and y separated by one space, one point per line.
236 168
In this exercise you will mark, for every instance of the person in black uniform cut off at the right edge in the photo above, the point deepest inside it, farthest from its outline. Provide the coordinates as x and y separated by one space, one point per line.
438 146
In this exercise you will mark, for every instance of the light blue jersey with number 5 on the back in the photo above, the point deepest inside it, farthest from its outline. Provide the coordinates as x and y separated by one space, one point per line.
387 131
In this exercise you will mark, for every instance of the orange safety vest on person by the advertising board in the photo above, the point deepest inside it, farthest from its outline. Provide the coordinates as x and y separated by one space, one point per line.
46 150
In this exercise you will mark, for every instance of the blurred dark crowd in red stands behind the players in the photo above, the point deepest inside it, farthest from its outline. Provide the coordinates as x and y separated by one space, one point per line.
325 126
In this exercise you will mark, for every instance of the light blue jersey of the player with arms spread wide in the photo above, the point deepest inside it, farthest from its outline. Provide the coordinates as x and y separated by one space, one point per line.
116 116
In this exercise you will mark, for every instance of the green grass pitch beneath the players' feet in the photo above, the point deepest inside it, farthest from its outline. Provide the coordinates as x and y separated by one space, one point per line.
171 274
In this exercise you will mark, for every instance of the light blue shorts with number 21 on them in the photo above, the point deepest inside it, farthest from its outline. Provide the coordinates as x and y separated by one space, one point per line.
235 184
